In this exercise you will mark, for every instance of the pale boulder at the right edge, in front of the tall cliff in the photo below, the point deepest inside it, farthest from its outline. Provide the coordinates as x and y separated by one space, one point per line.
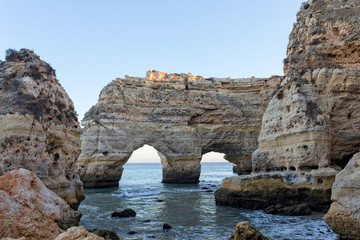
344 214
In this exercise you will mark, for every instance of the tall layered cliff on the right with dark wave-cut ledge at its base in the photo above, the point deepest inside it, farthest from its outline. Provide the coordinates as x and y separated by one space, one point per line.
312 124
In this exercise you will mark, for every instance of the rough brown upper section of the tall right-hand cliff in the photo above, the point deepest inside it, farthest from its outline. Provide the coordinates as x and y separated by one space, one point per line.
326 34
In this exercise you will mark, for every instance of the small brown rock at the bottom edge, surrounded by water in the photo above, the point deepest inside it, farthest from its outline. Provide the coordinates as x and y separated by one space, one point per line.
244 231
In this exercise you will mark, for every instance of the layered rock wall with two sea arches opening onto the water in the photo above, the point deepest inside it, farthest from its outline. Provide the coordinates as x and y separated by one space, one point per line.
181 115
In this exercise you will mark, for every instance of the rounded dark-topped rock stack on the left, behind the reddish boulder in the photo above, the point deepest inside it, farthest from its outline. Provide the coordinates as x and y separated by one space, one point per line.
39 129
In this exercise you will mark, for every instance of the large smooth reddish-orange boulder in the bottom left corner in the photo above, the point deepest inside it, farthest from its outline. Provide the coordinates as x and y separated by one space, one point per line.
29 209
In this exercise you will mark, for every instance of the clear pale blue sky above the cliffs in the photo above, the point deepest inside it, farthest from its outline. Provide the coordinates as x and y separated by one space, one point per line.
90 42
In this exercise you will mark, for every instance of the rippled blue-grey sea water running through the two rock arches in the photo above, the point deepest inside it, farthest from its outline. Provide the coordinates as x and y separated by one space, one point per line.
189 208
